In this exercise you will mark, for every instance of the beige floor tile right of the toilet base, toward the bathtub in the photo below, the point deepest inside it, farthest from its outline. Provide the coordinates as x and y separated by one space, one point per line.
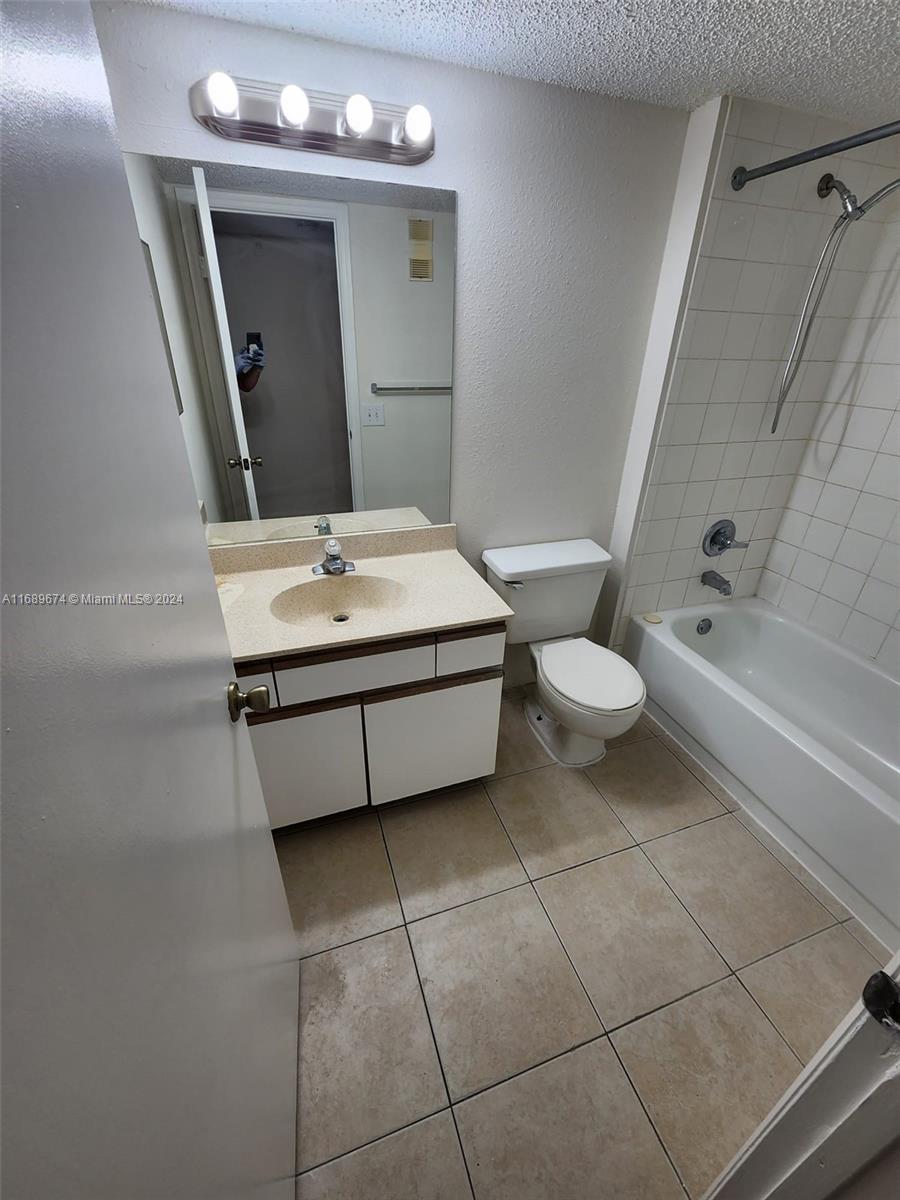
651 791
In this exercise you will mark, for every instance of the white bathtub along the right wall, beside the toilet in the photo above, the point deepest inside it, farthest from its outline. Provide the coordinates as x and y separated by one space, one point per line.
806 731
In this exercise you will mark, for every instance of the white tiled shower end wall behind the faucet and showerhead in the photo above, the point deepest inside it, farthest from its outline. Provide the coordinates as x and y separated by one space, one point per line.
716 457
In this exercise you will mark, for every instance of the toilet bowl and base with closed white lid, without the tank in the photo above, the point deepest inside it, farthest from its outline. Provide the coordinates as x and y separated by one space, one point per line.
584 695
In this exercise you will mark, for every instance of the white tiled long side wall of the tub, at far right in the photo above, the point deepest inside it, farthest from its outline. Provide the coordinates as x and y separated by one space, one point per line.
836 561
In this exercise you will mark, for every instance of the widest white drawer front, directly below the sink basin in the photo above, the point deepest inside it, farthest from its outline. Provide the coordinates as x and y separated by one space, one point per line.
343 676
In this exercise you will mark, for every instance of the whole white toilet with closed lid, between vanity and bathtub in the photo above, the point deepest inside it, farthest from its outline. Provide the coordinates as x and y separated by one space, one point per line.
585 694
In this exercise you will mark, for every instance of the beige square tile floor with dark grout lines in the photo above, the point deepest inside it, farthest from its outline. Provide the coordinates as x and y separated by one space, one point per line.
555 985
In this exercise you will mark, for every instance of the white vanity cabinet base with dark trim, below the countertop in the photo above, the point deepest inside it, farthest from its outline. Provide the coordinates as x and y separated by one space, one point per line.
370 724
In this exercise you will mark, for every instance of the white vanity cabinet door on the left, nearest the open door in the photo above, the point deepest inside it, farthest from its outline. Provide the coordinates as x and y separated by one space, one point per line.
311 764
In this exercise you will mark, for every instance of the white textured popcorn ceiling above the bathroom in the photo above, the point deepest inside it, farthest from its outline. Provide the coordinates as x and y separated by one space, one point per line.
830 57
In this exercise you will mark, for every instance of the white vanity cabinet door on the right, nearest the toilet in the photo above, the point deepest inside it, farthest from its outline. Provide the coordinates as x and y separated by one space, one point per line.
433 739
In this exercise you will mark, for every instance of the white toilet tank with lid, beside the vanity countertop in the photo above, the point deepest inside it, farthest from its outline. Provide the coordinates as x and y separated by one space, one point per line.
551 586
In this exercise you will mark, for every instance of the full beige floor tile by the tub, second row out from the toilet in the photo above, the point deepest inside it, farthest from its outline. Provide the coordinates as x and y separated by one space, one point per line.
746 902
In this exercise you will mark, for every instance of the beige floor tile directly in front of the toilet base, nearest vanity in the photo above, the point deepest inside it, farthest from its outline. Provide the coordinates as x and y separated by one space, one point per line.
556 819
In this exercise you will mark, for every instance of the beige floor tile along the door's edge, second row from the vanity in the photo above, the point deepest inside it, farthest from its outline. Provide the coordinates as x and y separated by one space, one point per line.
368 1060
